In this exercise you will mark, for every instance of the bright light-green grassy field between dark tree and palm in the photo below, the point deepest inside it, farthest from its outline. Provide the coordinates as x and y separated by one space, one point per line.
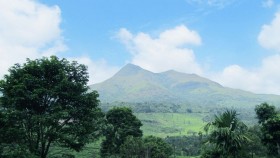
170 124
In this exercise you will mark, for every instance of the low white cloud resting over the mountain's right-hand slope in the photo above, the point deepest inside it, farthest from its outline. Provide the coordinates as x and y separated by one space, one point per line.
264 79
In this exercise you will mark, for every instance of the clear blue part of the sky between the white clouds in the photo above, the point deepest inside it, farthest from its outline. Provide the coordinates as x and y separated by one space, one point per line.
90 26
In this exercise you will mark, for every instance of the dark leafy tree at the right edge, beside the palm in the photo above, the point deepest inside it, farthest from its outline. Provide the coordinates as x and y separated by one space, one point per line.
269 119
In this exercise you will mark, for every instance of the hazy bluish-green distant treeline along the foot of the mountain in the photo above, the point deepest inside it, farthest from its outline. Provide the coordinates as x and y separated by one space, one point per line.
245 113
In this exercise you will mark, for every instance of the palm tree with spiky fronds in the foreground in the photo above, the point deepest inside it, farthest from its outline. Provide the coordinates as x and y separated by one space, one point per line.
227 134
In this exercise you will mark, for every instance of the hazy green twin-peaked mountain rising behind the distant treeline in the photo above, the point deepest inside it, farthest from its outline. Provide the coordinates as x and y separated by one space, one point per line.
136 85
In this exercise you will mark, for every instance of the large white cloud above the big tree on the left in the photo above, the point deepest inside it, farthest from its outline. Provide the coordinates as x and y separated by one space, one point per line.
28 29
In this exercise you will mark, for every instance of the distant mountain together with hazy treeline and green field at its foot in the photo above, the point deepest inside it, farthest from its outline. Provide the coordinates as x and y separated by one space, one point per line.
173 103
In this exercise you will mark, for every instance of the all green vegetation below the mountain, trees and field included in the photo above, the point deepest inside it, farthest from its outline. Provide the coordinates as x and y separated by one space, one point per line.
47 110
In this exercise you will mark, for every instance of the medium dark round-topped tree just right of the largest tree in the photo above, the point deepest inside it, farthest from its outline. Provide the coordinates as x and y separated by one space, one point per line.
121 124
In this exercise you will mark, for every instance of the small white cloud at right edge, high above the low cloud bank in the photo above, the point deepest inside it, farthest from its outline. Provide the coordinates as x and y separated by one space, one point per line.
270 33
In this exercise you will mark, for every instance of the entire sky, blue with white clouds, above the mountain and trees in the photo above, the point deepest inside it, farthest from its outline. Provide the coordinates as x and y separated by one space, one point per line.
233 42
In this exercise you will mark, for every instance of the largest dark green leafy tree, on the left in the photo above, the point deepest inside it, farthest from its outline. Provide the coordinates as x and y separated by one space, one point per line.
45 102
